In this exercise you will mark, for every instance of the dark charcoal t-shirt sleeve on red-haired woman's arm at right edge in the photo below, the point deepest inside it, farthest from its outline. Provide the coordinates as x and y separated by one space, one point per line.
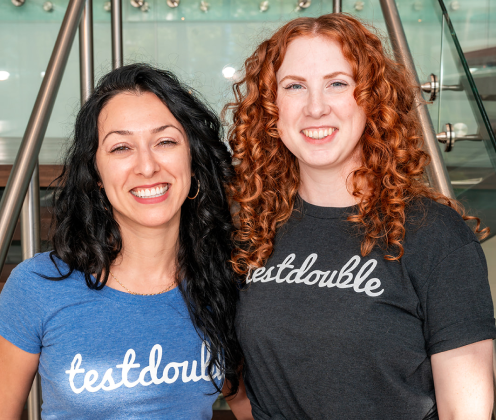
456 300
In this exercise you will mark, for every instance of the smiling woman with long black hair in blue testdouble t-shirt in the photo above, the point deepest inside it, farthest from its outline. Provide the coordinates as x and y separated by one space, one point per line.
131 315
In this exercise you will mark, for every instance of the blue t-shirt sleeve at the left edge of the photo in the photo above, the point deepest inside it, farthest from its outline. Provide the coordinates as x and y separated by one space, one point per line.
21 320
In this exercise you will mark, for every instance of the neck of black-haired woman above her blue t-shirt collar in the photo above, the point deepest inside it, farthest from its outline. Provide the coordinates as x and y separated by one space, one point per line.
148 260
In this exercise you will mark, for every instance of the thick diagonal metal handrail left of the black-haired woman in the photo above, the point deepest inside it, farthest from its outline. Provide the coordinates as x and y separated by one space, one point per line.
25 162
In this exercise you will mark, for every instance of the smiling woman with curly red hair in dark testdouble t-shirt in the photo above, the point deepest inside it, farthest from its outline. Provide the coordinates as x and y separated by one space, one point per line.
366 292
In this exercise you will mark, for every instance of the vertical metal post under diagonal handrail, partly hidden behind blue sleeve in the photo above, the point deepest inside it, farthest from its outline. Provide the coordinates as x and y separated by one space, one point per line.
31 244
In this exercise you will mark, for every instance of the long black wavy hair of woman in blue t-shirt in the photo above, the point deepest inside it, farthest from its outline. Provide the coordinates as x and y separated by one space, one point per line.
87 238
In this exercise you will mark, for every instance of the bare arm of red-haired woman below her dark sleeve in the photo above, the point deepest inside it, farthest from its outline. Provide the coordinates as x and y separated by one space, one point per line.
463 380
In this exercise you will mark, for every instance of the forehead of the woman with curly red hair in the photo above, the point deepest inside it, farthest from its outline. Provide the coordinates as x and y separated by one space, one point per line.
316 54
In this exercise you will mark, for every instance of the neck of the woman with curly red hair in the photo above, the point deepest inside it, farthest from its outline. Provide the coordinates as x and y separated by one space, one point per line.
327 187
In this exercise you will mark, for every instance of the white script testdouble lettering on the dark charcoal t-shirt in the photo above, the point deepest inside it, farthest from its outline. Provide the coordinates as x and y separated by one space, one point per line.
344 279
